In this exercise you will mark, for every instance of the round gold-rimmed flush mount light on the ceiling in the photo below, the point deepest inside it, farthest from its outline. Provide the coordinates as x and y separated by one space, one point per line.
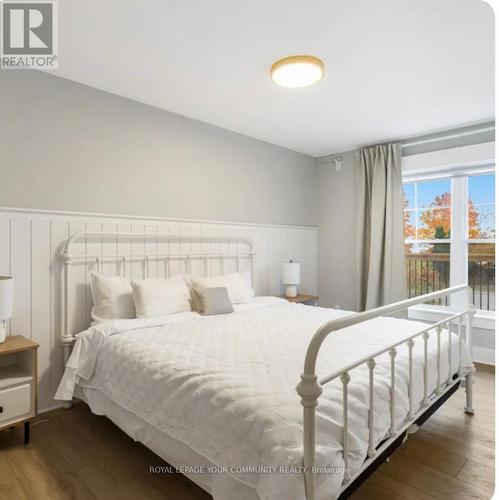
297 71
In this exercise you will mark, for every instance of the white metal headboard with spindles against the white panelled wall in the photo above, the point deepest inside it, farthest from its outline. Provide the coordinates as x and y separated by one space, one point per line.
70 258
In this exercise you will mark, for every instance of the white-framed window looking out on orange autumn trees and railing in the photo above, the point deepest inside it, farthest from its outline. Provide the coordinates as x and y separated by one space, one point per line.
449 228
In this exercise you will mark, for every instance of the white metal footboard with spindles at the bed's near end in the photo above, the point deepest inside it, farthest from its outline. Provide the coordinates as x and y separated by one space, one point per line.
310 386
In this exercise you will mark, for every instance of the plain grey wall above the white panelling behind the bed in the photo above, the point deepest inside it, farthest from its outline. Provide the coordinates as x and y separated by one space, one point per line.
65 146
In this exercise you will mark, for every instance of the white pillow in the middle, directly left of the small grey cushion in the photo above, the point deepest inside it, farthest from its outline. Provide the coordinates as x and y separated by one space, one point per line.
158 297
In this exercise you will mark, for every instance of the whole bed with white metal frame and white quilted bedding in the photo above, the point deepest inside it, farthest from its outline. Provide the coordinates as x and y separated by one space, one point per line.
216 397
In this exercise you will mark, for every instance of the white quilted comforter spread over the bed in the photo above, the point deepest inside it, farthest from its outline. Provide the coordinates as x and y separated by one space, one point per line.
225 385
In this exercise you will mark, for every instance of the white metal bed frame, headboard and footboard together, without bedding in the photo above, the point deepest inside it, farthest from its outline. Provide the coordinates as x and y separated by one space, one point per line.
310 386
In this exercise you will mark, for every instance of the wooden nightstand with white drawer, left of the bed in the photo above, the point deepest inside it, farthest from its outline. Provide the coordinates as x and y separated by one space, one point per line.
18 382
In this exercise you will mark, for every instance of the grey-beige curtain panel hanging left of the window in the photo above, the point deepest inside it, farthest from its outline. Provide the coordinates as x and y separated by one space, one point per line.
381 229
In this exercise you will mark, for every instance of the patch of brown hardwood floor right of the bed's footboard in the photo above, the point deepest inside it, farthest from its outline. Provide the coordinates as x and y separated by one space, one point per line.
451 456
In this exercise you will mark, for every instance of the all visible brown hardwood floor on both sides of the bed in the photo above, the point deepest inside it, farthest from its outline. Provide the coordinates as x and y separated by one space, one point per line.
77 455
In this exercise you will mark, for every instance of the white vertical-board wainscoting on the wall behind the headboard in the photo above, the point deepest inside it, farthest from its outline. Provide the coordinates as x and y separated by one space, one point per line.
30 245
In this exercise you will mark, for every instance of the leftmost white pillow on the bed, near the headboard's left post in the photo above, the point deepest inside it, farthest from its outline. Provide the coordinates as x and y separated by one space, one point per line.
112 297
